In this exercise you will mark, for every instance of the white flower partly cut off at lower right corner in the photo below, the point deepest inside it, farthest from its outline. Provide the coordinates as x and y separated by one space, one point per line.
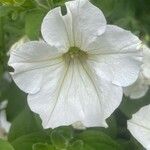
139 126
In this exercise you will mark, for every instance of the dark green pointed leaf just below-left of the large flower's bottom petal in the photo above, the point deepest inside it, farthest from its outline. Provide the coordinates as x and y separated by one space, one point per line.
26 122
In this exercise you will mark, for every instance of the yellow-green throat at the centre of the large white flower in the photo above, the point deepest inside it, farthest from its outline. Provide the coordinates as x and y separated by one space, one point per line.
75 52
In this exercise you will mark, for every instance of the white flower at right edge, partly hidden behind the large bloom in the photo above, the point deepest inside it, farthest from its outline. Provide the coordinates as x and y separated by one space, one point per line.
141 86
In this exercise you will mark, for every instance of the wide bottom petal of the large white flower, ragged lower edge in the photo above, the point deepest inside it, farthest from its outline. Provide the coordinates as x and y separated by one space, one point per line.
74 96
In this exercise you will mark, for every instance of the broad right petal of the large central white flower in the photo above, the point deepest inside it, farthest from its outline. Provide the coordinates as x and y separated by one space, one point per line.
116 56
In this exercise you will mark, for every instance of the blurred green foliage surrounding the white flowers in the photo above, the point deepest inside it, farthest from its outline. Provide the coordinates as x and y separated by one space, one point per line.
23 17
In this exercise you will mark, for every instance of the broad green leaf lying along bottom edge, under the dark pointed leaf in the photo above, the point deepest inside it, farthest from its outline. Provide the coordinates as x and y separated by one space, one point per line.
27 141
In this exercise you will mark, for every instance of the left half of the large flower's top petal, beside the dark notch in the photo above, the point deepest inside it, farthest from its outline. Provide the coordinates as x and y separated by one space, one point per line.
55 30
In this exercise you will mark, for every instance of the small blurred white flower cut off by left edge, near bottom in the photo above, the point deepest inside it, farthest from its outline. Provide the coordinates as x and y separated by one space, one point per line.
4 124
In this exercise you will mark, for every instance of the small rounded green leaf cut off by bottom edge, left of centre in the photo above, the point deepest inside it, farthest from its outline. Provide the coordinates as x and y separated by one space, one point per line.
41 146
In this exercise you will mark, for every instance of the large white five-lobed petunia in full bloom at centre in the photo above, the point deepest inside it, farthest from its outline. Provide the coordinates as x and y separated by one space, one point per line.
78 73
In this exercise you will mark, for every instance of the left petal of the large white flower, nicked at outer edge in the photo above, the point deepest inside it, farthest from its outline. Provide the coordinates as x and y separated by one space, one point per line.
30 62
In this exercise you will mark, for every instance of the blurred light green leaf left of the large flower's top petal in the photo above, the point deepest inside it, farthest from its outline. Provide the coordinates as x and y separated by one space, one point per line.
33 24
